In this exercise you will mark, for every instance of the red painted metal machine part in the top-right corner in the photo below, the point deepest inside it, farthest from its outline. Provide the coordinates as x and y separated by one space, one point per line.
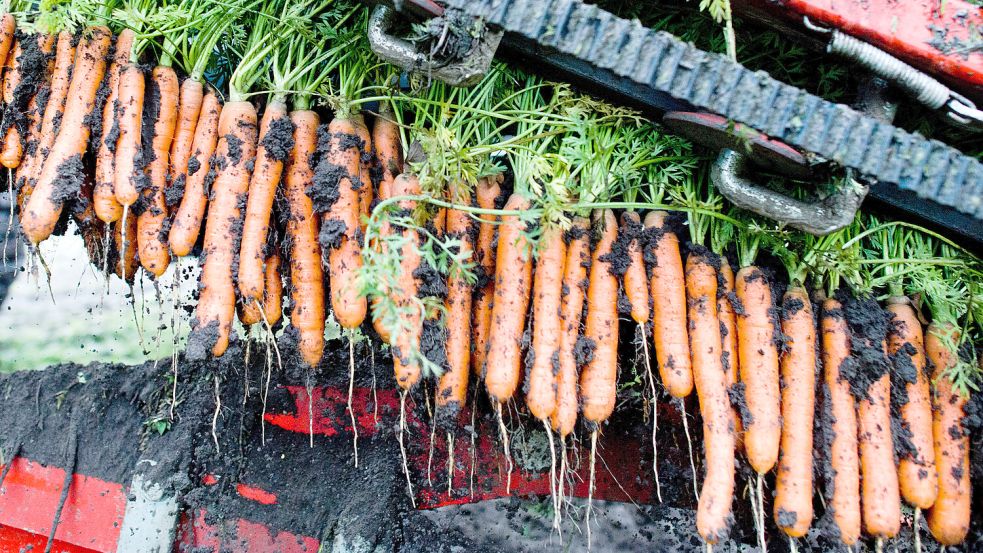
906 29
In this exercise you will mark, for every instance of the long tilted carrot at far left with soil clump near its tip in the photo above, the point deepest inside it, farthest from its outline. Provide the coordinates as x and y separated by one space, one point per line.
60 178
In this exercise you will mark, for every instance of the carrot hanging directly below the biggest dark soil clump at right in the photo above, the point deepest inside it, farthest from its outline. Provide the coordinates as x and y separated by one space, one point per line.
879 494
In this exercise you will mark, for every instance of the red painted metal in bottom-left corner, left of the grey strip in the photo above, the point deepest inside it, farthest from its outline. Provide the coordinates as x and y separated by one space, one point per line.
93 511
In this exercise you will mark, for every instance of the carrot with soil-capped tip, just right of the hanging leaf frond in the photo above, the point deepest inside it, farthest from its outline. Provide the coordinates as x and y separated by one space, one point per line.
453 385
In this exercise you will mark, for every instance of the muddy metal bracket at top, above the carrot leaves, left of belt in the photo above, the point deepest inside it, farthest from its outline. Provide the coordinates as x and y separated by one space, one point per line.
400 52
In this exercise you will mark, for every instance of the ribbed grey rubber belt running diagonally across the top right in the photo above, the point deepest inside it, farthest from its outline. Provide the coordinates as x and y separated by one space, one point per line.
664 64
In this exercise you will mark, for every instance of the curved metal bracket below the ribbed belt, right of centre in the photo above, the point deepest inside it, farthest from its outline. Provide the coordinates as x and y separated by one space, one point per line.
823 217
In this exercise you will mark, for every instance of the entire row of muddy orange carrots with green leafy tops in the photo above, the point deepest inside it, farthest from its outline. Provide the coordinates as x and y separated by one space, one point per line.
516 221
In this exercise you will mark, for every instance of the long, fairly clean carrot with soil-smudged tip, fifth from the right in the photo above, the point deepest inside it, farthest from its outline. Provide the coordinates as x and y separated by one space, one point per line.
793 485
